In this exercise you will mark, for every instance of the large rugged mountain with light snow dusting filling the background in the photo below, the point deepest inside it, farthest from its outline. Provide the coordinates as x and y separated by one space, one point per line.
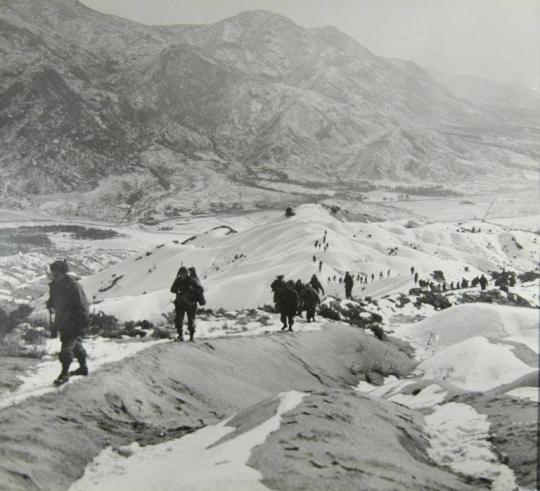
124 119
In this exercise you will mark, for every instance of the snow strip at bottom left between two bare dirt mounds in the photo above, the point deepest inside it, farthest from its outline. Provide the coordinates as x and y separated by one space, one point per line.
196 461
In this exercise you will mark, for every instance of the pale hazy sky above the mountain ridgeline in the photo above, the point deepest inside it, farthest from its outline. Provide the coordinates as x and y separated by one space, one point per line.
495 39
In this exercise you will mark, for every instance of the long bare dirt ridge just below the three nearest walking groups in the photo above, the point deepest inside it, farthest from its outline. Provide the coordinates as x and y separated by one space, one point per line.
170 390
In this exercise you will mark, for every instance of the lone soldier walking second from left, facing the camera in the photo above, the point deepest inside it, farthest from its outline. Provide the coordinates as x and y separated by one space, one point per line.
187 294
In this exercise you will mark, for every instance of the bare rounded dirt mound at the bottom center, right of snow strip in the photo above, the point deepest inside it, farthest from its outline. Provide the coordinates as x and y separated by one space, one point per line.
339 439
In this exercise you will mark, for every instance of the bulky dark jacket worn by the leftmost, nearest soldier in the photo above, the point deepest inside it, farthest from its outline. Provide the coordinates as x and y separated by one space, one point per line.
70 305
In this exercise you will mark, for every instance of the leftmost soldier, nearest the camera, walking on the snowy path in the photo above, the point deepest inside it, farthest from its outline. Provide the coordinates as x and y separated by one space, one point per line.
70 305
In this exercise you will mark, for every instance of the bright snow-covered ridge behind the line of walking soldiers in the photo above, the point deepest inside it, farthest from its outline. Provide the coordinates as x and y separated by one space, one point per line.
237 268
